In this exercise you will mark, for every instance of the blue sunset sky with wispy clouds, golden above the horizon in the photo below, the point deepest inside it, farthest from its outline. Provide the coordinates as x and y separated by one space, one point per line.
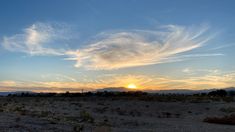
59 45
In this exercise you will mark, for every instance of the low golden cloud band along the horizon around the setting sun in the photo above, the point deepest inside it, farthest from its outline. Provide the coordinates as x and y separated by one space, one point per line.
211 79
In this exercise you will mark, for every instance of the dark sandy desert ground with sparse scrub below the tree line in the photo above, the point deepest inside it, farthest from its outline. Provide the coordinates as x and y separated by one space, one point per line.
98 114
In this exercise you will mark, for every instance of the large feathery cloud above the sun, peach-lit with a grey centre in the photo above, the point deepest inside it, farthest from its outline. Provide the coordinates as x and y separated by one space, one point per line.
114 50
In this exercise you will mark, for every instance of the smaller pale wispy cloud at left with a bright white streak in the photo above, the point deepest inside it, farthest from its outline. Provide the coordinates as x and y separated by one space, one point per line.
37 39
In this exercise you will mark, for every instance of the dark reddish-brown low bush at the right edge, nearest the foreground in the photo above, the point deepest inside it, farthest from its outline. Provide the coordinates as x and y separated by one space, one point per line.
229 120
